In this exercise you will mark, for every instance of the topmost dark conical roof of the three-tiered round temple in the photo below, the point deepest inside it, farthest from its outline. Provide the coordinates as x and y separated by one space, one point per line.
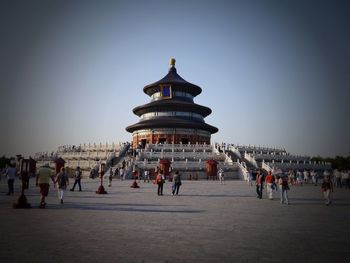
177 82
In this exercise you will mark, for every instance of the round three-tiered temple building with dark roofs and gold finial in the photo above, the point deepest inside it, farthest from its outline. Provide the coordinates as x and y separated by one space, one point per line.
171 116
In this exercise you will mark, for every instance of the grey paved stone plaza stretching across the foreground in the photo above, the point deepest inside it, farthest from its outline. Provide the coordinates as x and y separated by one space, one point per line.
208 222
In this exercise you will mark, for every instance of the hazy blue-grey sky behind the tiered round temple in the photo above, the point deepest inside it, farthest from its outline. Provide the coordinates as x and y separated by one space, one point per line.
274 73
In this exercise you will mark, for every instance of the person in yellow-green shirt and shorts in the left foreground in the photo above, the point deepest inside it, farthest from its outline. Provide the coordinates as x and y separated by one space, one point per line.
43 181
